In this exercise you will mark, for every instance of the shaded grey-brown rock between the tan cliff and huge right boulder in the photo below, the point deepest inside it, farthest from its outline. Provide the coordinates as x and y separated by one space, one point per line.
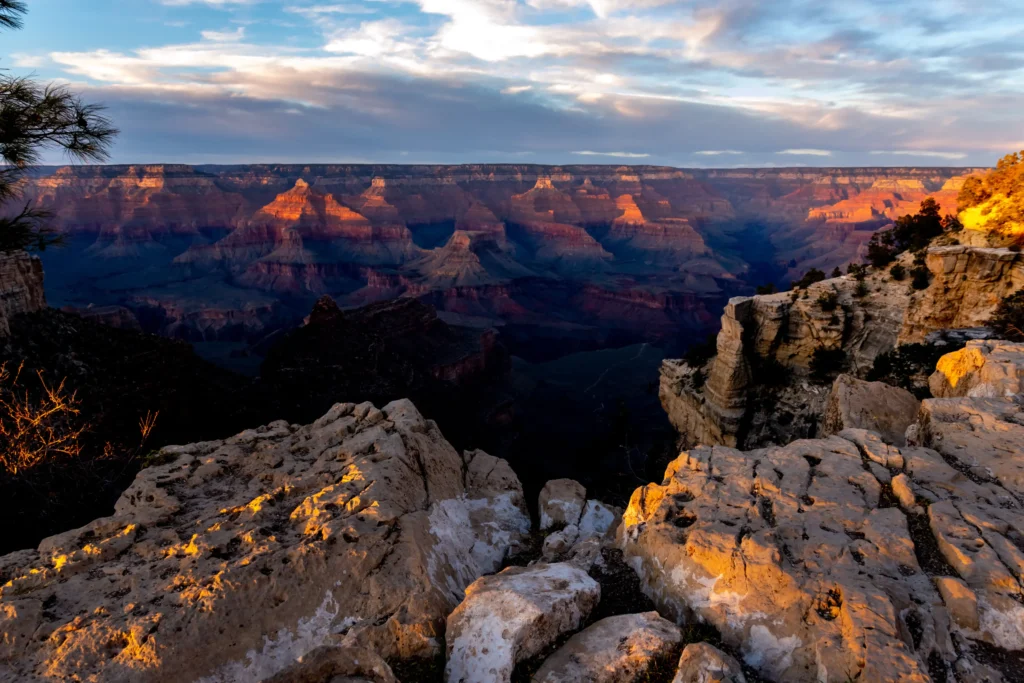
873 406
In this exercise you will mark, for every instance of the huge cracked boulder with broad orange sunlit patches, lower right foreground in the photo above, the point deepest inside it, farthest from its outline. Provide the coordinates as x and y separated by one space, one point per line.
801 559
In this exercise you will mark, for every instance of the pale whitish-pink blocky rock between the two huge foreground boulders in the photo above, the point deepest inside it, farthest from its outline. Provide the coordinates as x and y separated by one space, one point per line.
514 616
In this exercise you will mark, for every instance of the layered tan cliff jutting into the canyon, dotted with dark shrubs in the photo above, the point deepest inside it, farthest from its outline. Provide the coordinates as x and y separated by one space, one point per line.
733 409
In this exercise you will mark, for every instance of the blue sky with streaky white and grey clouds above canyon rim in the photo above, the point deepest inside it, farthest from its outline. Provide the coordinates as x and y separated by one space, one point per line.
687 83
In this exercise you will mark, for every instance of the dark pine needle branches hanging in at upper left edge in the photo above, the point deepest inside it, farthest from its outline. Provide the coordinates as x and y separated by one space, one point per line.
34 117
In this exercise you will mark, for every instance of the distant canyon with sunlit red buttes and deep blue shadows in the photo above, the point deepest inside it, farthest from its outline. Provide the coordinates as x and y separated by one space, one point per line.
564 259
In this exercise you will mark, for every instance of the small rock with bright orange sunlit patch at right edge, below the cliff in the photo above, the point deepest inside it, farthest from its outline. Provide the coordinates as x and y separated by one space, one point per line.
983 369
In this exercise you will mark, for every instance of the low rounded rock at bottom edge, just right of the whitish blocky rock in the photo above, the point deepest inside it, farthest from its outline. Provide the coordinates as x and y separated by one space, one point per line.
617 650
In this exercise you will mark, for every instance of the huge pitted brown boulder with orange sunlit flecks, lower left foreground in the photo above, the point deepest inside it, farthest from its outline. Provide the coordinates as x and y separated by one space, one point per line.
235 559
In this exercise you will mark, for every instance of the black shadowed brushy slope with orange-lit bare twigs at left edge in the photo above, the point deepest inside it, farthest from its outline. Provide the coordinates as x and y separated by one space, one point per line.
115 396
